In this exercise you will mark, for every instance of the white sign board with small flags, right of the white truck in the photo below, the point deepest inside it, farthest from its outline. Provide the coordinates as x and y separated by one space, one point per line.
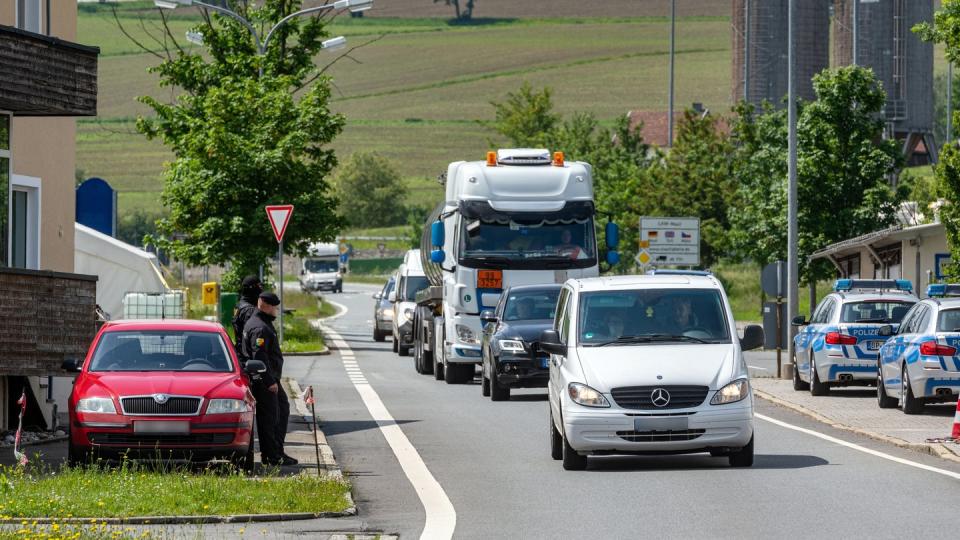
672 240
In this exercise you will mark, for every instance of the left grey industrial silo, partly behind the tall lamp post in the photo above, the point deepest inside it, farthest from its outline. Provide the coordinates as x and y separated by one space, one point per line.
763 61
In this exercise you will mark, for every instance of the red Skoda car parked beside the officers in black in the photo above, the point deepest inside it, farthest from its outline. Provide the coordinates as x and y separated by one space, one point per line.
172 389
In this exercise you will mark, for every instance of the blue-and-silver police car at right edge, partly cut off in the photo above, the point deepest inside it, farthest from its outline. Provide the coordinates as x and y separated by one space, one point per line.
920 363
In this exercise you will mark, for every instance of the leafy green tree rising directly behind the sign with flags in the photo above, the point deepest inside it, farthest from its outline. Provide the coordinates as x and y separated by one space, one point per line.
695 180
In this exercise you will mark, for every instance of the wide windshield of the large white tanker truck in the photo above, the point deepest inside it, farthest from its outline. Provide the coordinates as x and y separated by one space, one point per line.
556 244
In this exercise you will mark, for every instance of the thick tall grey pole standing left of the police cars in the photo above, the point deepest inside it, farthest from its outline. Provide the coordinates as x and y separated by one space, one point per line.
792 233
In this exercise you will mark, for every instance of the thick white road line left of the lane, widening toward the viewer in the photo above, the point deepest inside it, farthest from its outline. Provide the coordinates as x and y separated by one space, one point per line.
441 517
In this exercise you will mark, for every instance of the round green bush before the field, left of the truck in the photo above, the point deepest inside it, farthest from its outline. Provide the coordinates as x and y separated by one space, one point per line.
374 189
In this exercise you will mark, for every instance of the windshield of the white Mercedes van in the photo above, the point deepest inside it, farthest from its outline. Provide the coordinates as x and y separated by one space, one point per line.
653 315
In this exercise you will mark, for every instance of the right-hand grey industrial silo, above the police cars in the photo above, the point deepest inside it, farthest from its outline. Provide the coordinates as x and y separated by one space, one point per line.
900 60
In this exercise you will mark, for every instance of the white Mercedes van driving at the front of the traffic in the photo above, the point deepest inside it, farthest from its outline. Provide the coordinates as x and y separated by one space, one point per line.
648 364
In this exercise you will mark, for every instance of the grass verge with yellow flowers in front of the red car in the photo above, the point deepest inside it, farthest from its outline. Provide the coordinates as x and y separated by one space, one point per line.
136 490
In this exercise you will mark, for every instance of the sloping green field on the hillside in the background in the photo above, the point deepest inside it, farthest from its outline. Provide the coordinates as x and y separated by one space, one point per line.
420 93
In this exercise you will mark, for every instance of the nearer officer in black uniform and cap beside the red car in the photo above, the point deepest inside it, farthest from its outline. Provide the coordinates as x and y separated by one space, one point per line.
273 409
